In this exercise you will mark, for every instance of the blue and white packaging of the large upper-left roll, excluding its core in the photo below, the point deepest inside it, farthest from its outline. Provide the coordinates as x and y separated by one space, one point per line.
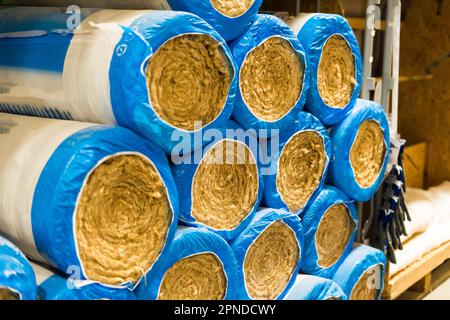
92 65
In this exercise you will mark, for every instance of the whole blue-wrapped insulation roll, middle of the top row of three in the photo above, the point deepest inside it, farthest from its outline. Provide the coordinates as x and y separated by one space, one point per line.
273 75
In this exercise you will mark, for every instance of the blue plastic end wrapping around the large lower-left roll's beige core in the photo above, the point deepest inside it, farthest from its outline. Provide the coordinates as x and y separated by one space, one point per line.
60 183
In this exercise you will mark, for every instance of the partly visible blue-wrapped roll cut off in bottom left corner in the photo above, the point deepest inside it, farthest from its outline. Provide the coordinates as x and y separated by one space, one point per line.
17 279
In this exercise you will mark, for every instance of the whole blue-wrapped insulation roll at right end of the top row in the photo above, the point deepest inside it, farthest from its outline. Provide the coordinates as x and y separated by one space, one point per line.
335 64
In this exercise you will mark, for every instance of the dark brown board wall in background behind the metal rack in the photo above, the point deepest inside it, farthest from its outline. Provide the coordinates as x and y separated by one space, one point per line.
424 106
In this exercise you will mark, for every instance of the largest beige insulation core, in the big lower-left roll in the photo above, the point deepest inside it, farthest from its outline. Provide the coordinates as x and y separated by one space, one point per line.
122 219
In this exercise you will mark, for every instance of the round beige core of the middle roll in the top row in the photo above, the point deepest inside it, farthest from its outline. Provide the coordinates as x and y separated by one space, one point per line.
271 79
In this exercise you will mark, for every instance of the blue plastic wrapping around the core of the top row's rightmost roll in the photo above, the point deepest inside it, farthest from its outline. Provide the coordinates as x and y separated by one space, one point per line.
313 35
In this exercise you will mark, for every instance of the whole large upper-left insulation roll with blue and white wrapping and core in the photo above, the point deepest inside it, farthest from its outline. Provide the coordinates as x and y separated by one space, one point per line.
162 74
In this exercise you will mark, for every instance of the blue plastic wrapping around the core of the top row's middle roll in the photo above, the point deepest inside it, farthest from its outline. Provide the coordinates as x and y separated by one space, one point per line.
262 29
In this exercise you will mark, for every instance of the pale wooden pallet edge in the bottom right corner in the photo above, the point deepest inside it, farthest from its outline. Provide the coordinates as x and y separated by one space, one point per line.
405 279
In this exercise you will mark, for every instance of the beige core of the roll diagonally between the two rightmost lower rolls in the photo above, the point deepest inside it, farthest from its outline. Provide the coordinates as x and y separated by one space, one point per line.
333 234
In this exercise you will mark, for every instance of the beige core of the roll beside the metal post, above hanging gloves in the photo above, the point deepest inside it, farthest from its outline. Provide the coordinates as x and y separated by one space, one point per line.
367 153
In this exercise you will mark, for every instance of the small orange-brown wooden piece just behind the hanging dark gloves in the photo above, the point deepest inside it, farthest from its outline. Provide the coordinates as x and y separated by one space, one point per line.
414 165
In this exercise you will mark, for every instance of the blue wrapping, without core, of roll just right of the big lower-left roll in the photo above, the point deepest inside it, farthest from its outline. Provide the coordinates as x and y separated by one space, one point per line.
185 173
